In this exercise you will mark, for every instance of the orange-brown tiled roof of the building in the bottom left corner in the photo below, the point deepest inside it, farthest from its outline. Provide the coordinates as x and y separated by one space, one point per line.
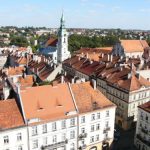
10 116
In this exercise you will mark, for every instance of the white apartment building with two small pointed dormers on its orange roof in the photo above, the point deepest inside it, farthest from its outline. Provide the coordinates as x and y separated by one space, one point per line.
51 117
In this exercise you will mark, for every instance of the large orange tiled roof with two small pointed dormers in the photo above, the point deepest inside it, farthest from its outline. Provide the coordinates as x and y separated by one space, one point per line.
46 103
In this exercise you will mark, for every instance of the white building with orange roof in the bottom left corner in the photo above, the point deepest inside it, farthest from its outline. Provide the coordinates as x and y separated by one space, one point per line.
13 131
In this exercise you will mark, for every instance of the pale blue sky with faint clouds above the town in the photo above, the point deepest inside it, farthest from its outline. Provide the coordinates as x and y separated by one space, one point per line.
124 14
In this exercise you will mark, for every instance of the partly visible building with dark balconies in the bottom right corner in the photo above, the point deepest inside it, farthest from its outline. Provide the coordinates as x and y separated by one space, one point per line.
142 135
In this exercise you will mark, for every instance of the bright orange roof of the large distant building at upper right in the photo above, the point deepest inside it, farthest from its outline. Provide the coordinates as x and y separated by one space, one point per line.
134 45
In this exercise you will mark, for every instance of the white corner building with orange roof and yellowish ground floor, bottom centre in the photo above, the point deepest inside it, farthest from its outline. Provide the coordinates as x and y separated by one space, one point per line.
96 117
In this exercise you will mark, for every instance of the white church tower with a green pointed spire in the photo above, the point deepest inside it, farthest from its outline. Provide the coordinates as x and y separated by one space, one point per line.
62 45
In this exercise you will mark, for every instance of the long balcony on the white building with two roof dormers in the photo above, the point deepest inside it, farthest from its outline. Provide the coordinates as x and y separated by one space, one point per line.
55 145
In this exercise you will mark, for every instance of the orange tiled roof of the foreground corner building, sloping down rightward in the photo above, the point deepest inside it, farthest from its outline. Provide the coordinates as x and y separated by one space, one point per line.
88 99
